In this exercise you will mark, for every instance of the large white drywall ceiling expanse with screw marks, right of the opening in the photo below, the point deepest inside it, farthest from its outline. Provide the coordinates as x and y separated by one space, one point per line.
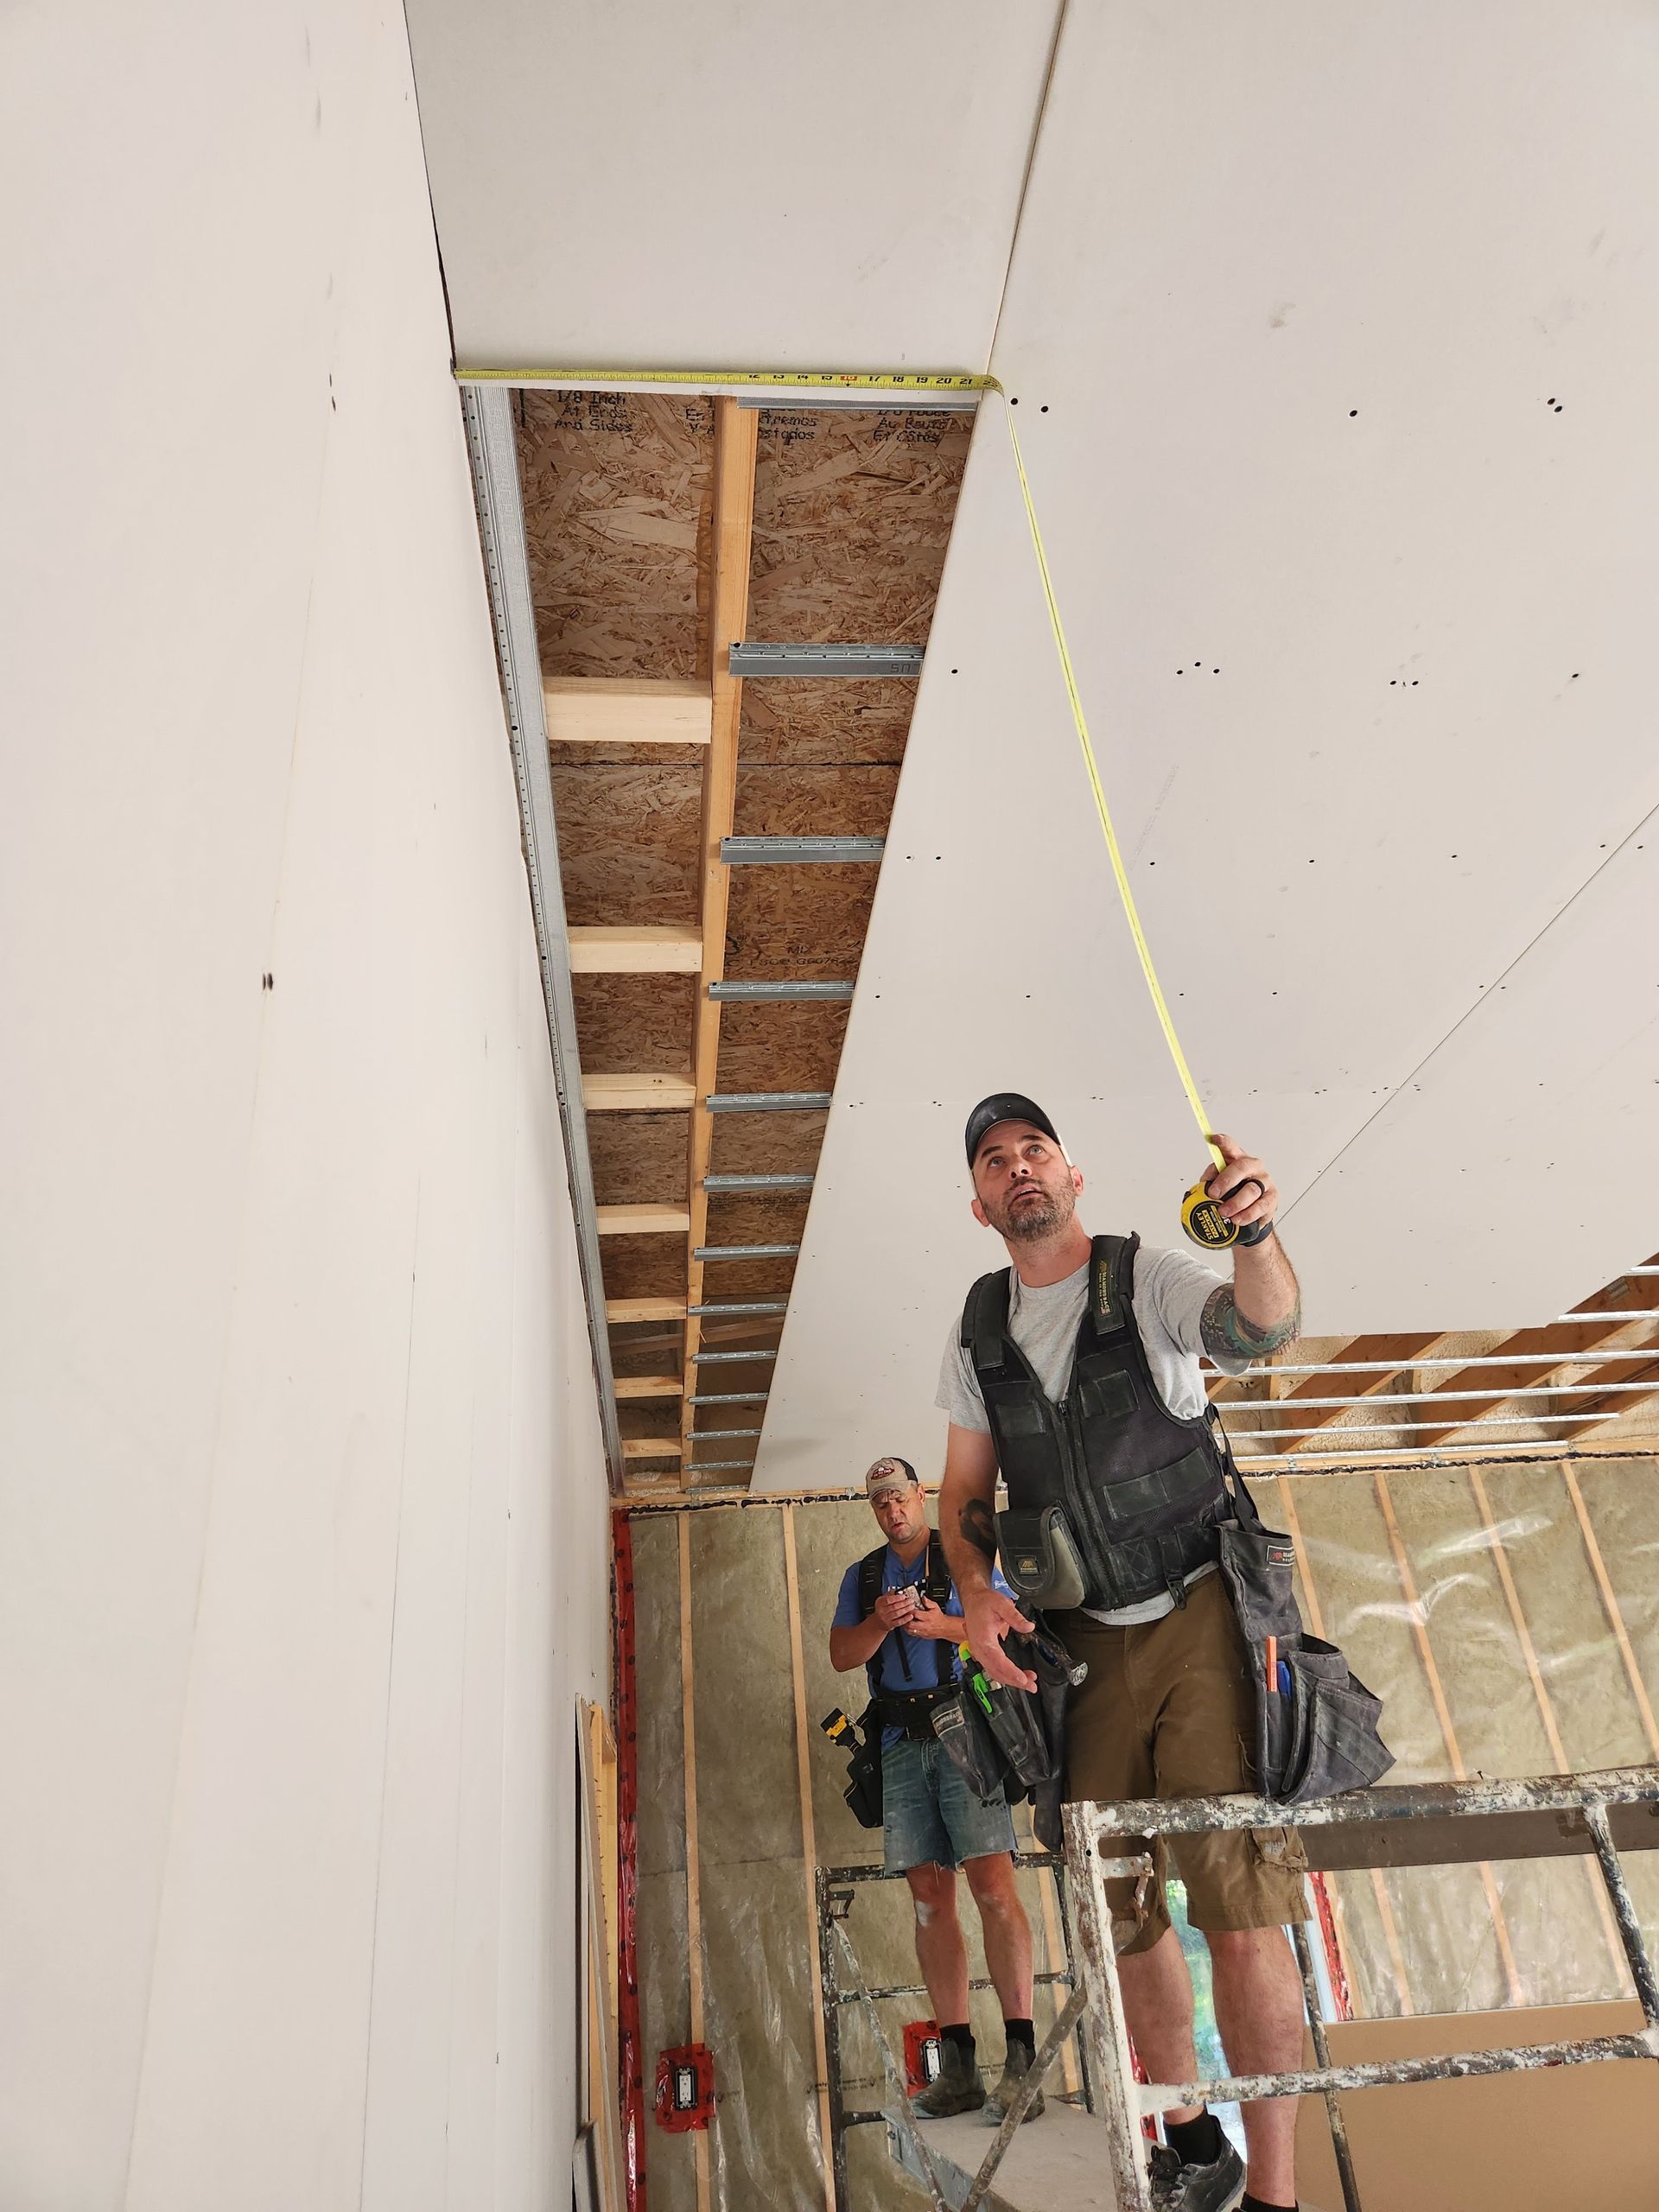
1331 337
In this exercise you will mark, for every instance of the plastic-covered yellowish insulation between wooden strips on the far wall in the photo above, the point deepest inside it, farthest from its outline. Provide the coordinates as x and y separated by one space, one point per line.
755 1912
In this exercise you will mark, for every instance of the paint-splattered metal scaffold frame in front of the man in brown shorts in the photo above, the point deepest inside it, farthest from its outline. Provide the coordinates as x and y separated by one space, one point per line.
1127 2103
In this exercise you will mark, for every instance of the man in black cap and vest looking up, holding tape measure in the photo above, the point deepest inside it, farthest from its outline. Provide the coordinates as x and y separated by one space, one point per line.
1076 1377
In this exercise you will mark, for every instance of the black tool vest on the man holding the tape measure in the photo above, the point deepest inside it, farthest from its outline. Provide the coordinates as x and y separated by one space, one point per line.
1138 1488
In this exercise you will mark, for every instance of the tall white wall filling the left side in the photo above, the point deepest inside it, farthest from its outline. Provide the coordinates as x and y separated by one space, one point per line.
304 1527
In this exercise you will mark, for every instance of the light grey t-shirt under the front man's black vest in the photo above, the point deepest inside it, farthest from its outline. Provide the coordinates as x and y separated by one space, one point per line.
1171 1291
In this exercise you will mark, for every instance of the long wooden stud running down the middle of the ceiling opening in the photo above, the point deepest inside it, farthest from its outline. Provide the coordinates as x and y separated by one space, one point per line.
735 432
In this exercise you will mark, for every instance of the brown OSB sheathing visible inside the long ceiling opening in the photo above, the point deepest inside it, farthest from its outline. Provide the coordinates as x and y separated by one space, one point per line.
853 514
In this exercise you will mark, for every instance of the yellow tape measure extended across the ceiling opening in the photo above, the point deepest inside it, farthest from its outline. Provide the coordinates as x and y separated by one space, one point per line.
1200 1213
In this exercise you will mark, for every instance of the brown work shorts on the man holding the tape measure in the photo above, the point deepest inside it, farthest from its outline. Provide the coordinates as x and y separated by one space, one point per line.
1169 1711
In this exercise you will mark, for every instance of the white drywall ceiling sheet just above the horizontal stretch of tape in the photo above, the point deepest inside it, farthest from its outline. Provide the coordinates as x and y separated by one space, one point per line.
729 185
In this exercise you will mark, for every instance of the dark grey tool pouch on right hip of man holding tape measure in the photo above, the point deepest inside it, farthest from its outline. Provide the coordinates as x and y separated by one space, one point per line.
1317 1724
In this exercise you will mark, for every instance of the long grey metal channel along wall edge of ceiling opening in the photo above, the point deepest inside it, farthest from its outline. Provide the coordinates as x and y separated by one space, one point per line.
492 448
